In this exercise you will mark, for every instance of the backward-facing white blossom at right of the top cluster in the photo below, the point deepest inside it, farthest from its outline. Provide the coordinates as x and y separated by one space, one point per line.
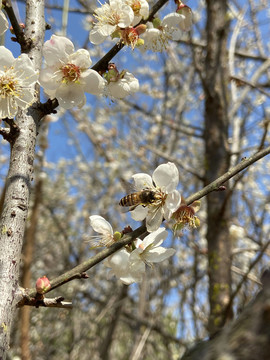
158 33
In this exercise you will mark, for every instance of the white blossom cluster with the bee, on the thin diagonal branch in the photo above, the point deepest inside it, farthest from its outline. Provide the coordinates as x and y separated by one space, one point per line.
156 199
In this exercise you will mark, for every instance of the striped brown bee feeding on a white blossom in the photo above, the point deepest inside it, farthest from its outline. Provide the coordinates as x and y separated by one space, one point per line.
144 197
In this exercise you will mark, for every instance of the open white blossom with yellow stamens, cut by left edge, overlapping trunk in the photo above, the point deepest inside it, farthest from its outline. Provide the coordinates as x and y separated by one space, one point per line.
17 79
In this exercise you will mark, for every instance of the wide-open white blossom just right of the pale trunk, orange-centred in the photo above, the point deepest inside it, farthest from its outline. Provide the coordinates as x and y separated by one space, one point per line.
66 75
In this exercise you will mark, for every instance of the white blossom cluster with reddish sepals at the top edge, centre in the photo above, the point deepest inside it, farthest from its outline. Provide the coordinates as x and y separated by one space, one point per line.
121 19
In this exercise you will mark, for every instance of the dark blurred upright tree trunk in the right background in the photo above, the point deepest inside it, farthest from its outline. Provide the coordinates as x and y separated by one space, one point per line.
217 160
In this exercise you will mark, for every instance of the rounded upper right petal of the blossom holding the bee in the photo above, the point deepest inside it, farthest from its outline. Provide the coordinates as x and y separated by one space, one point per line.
166 176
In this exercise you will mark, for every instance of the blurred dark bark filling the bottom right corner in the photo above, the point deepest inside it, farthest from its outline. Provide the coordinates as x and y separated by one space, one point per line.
247 338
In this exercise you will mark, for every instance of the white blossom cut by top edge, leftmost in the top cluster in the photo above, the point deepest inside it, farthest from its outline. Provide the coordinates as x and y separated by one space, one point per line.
117 14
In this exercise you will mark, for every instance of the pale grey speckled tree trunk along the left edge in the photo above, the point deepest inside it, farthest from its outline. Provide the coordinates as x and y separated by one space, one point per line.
15 208
